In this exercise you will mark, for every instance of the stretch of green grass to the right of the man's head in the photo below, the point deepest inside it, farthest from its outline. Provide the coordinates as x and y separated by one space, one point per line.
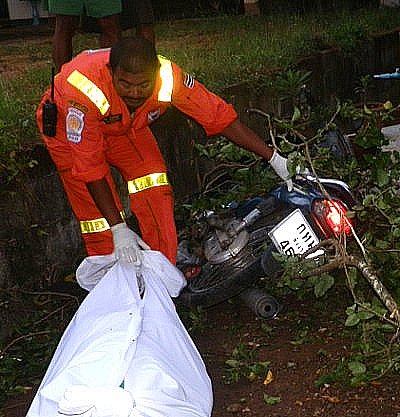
227 50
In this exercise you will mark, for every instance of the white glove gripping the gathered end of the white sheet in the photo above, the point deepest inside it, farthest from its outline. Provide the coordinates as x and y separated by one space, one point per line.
127 244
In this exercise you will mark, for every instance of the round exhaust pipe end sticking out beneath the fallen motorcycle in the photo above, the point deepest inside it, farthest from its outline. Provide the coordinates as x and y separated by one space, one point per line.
264 305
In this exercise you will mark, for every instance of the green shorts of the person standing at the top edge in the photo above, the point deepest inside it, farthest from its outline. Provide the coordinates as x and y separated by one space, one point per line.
93 8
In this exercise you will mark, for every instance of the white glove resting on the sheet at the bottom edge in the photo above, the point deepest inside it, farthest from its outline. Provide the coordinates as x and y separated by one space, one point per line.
82 401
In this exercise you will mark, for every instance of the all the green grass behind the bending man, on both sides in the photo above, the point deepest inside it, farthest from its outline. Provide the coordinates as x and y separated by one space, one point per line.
218 51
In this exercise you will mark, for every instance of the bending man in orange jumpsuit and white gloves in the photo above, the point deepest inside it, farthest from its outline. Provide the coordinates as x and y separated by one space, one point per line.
106 100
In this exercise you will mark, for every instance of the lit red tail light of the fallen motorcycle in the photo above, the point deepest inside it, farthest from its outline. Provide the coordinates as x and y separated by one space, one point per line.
331 217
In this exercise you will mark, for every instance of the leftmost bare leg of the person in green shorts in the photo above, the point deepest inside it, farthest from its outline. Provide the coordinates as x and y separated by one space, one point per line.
62 39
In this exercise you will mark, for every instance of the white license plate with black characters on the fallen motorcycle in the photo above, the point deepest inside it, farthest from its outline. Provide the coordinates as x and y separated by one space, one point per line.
294 235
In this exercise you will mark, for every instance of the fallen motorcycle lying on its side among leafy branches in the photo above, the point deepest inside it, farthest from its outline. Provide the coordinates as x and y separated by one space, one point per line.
234 248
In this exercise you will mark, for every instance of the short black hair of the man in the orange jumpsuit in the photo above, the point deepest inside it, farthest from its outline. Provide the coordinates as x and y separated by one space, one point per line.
135 55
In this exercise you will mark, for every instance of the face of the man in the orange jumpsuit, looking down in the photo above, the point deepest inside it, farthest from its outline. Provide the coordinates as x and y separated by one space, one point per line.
134 89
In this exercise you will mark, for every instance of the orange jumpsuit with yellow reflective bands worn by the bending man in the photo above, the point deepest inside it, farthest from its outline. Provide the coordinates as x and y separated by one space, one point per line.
96 131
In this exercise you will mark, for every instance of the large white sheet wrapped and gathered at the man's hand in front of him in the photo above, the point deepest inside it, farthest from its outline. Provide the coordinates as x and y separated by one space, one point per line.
117 337
